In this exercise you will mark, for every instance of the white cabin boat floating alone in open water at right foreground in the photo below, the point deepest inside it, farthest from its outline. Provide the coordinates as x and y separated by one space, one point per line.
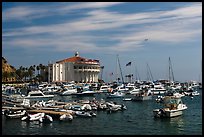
173 107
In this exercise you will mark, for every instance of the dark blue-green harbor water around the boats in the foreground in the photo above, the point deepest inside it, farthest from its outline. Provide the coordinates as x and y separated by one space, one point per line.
136 120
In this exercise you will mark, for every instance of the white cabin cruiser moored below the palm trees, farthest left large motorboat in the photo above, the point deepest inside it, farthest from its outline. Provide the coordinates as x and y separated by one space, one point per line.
35 94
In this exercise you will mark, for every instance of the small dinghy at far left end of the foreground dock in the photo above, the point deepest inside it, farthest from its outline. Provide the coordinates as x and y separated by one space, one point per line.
15 114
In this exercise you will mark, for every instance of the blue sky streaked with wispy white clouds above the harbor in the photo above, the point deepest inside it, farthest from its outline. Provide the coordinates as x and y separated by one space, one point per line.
146 34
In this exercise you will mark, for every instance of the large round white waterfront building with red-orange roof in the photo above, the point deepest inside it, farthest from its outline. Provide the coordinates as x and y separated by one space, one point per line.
75 68
